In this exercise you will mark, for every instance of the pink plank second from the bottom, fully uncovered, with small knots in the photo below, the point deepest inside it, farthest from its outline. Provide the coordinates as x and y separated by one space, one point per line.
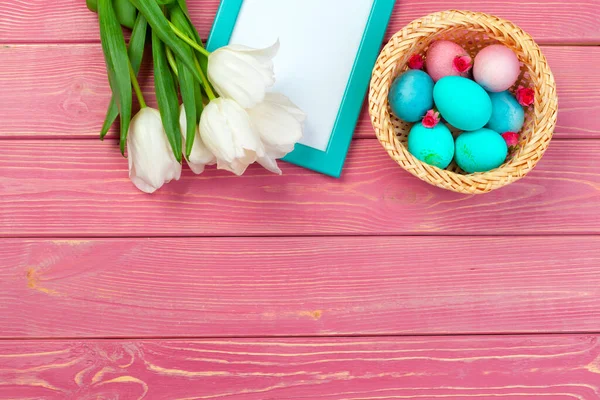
187 287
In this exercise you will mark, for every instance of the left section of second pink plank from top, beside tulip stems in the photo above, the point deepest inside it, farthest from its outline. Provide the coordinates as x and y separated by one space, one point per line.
56 90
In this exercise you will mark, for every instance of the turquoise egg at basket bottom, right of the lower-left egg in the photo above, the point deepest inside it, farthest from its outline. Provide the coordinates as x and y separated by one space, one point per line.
480 151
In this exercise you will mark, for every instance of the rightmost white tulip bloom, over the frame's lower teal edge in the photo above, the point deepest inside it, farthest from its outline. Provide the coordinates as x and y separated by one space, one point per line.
279 123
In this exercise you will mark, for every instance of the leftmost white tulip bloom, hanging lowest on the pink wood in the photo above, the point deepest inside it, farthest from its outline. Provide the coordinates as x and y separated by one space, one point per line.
151 160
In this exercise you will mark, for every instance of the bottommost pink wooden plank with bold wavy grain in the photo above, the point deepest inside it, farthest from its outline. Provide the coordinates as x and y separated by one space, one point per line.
514 368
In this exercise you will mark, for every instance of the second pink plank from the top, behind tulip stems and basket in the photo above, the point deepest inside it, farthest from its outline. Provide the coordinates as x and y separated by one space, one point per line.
71 91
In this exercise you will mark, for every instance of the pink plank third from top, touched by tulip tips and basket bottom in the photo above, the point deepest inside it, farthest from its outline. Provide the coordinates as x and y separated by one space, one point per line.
81 188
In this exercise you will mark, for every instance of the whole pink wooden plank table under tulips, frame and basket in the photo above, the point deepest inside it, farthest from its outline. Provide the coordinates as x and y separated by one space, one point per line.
376 286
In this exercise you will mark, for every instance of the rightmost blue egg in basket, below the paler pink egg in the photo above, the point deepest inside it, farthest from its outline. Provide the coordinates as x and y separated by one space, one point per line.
507 114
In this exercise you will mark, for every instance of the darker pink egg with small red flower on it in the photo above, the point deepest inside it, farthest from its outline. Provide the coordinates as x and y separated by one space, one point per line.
441 58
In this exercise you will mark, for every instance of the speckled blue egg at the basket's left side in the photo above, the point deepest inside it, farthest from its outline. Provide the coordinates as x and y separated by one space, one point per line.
411 95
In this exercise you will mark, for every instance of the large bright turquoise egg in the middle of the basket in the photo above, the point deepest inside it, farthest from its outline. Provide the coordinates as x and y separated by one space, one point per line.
462 102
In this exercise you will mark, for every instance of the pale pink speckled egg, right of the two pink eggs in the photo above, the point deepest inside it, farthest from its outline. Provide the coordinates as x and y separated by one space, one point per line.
496 68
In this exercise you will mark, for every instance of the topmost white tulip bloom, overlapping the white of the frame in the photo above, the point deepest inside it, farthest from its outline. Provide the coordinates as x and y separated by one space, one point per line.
242 73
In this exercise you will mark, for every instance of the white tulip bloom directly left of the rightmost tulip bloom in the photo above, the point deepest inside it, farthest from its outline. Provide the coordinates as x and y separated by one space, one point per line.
227 132
